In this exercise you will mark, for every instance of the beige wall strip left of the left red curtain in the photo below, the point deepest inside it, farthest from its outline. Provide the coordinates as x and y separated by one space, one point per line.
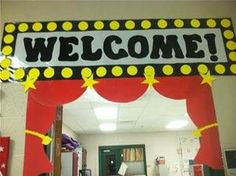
12 123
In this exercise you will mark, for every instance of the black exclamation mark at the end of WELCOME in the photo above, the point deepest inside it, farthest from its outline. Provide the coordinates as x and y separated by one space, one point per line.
210 38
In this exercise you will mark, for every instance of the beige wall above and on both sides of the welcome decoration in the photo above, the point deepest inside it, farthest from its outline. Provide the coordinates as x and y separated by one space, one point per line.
16 11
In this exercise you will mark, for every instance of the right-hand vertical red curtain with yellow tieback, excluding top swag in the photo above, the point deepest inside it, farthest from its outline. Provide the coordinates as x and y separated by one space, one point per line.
201 109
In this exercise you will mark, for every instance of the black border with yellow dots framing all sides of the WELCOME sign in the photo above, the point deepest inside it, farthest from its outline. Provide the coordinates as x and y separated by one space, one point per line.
102 71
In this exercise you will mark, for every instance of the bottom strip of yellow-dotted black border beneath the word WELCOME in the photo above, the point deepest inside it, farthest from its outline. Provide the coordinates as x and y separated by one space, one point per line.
119 71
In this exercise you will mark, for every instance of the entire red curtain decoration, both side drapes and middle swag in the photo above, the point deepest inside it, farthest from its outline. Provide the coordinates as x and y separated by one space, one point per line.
42 103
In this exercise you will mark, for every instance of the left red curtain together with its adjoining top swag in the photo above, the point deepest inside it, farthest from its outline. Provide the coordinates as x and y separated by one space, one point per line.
41 112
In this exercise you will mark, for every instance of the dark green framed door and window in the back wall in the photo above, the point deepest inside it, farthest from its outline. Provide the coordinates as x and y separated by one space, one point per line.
112 157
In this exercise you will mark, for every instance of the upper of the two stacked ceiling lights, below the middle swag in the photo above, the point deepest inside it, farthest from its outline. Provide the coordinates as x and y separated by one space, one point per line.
106 113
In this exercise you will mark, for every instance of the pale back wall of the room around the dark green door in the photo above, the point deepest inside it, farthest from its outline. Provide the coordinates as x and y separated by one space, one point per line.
156 144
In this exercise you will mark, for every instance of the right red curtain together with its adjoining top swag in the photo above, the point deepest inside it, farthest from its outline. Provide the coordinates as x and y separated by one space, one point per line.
200 107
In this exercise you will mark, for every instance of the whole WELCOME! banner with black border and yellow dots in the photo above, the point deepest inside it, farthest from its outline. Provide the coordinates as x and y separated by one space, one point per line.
117 48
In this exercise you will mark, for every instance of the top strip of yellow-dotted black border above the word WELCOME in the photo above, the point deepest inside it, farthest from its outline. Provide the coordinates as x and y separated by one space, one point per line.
128 24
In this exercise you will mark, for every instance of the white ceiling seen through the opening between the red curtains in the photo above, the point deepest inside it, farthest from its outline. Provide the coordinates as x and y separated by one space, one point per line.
151 112
